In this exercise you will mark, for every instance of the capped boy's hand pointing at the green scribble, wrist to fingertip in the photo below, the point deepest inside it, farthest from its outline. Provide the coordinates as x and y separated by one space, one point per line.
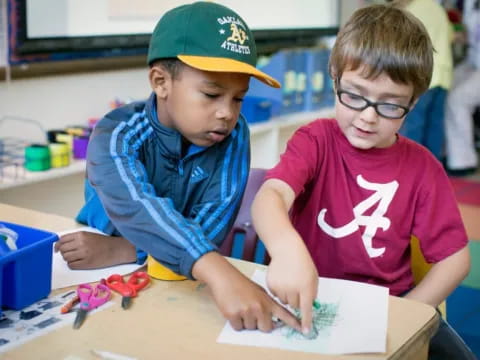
243 303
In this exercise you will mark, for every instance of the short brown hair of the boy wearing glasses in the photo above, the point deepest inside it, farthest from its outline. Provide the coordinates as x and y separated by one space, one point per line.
384 39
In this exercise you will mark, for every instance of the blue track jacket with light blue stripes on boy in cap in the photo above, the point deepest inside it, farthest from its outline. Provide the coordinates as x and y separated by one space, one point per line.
138 185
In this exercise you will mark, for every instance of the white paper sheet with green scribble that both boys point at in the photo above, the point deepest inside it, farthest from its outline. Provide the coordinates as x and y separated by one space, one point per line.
353 319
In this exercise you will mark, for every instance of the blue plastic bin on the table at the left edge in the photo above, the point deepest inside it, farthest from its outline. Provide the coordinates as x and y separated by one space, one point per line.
26 273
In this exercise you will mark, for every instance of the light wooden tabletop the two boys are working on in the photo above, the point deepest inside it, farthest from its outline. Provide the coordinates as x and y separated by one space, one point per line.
179 320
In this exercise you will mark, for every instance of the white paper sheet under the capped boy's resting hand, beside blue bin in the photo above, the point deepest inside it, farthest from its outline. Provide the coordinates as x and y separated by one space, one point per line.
63 276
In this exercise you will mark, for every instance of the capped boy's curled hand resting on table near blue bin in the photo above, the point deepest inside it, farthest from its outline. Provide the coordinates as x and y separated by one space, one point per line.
86 250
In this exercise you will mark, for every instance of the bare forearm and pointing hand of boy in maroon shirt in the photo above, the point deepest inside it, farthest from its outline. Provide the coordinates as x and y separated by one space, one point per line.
292 275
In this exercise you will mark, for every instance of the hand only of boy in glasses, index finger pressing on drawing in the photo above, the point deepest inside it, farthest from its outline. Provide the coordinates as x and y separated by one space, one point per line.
293 278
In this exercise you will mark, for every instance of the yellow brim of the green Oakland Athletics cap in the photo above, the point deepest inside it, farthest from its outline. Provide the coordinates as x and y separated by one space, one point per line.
227 65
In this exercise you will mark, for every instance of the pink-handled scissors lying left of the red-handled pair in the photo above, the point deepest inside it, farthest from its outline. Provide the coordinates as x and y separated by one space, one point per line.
90 297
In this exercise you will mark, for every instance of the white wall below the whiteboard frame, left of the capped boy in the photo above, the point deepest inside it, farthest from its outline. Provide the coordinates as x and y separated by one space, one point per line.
62 100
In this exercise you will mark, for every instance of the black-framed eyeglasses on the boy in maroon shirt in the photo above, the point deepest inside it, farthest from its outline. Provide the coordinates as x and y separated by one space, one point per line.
357 102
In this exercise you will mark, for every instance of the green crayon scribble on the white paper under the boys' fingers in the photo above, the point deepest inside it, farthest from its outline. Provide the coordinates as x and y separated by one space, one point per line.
323 318
